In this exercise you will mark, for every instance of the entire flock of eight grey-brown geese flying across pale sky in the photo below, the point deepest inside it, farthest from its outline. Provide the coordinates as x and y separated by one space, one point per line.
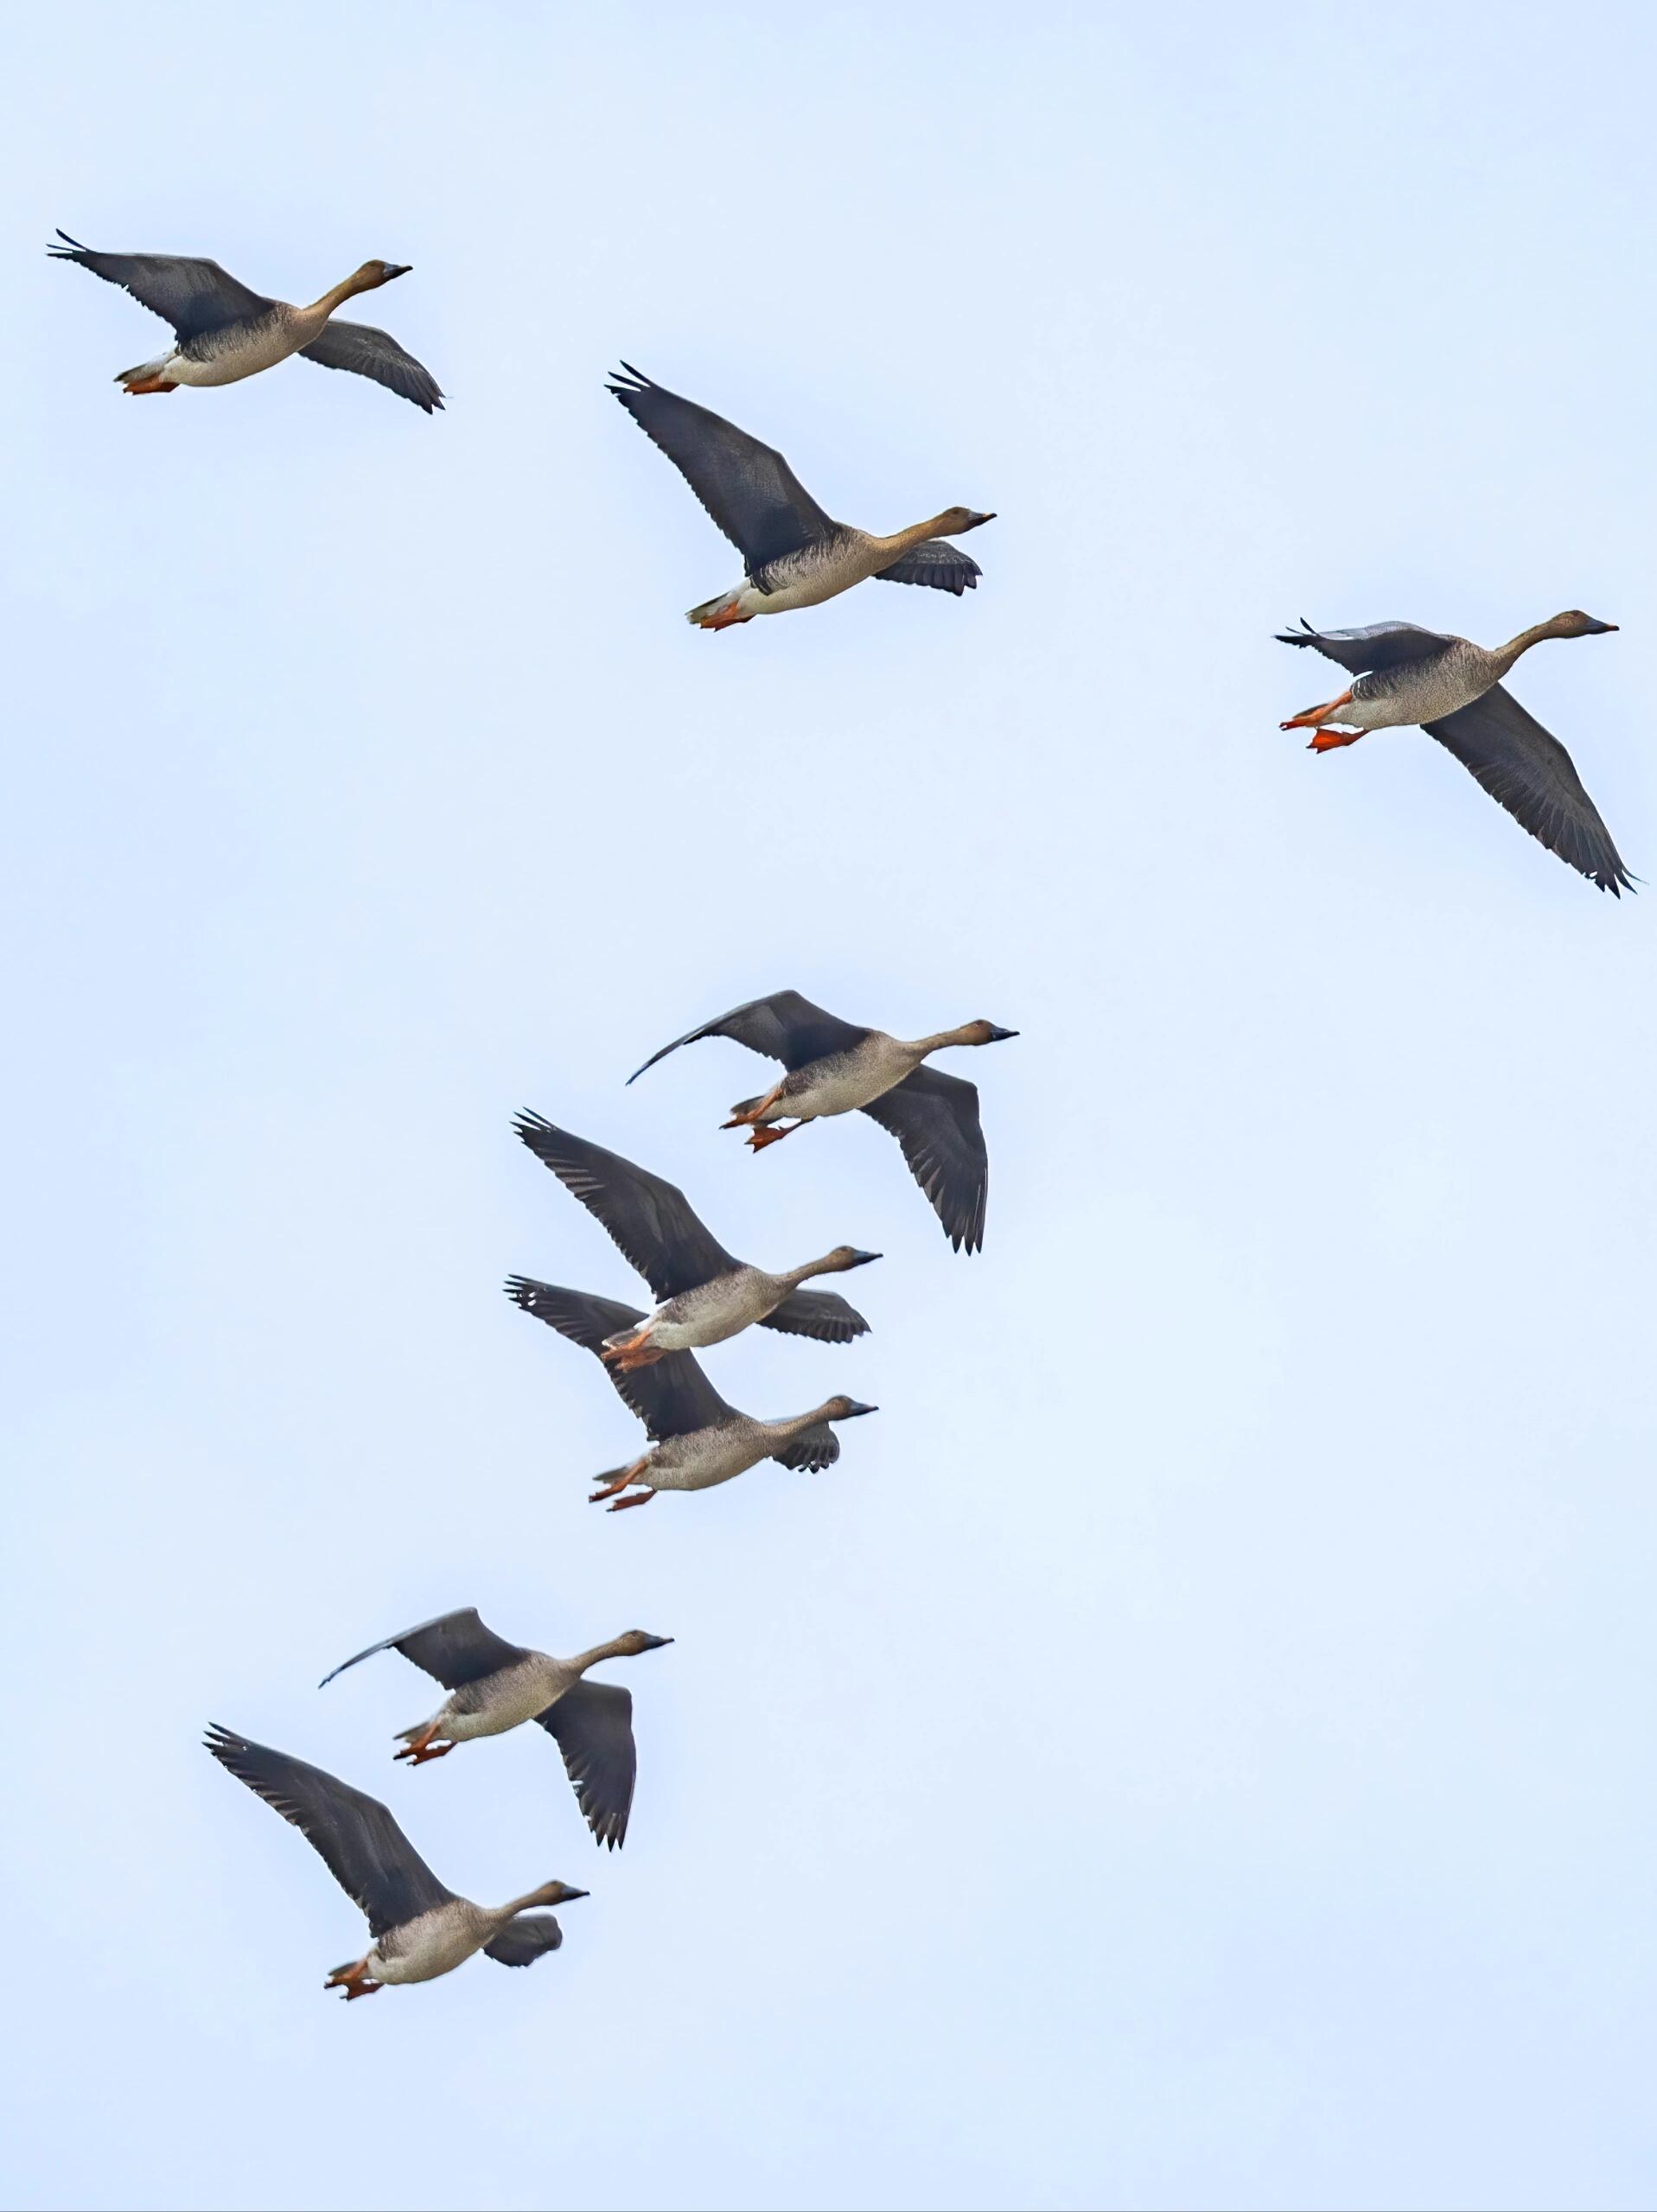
793 556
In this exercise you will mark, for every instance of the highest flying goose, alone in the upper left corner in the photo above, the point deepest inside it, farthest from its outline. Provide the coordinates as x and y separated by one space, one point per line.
229 333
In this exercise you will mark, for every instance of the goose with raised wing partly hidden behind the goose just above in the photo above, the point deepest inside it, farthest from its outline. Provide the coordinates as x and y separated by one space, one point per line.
698 1437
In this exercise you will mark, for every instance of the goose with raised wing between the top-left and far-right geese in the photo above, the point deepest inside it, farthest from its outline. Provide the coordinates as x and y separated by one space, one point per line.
793 552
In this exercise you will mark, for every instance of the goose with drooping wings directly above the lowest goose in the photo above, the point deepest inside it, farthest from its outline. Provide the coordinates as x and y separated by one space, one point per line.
497 1687
